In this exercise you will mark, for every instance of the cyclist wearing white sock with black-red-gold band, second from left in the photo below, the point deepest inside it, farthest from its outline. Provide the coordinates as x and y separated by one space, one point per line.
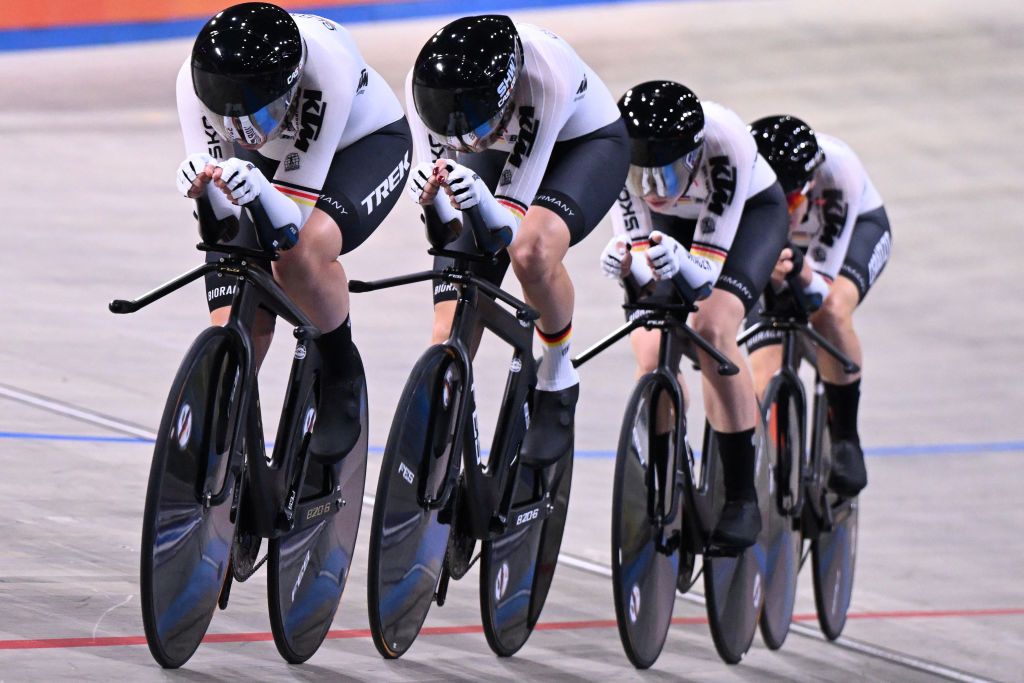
509 118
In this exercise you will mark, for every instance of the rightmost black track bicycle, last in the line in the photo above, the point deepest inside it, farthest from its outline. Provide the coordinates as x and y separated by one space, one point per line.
805 511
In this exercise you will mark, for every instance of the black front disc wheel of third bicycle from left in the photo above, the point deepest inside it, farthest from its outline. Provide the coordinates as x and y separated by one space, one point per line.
647 521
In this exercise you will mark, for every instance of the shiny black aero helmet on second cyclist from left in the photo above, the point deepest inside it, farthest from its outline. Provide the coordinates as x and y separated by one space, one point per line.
464 78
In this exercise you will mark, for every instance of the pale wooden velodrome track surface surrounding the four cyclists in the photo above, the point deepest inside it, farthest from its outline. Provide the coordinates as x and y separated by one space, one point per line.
929 95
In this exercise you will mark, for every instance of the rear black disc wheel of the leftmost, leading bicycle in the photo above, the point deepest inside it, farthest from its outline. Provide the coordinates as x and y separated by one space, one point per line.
308 569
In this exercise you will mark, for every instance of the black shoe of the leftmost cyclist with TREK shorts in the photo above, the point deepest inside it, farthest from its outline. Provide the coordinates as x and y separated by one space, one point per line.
337 429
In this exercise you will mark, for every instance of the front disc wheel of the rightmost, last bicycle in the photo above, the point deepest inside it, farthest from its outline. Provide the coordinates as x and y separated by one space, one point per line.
784 415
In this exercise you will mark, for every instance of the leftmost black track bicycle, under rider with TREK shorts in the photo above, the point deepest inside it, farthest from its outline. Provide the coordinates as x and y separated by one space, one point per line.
215 493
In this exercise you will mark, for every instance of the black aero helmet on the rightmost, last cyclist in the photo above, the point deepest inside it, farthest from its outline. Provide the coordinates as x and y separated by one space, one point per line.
791 149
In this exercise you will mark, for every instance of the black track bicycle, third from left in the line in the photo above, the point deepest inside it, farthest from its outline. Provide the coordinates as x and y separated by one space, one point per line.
664 510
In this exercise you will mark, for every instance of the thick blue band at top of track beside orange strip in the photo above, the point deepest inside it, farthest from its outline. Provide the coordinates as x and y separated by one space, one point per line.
105 34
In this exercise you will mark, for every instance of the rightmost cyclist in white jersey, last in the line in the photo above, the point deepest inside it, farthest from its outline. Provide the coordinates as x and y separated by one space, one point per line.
837 218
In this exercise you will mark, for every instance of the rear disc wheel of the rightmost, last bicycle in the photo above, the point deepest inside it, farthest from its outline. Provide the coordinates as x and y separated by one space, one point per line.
834 552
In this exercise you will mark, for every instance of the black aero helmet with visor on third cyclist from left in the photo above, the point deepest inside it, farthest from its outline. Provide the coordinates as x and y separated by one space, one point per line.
665 122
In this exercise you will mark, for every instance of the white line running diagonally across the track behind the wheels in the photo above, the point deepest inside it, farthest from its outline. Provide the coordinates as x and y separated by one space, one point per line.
580 564
